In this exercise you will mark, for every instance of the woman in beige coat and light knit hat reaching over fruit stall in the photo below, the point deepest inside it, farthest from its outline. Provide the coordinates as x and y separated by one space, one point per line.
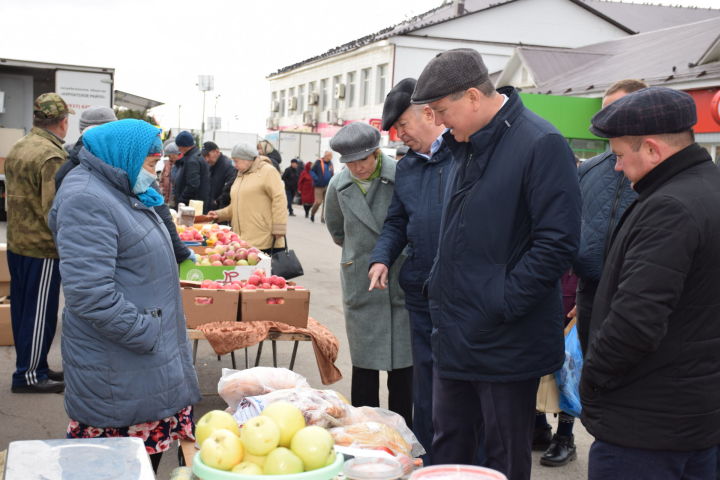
258 206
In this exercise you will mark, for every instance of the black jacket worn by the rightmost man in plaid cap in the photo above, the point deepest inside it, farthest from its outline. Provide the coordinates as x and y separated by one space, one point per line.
650 378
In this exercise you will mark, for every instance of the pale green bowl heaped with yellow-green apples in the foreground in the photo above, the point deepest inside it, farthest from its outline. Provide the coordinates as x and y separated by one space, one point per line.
277 442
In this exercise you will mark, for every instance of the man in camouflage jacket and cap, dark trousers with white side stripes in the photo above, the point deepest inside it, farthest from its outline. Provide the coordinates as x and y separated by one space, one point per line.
30 171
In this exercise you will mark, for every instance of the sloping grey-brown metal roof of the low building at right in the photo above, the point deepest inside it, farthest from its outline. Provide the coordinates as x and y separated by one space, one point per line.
662 57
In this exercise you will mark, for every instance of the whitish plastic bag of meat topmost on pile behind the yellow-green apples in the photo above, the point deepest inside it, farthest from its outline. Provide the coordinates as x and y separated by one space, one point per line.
234 385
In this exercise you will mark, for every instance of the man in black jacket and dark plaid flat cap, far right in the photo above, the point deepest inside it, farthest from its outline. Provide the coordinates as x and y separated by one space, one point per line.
650 387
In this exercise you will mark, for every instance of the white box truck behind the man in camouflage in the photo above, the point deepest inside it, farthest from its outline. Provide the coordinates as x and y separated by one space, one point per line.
21 81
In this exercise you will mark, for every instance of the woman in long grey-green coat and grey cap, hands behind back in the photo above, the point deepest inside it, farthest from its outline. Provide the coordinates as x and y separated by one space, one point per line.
376 321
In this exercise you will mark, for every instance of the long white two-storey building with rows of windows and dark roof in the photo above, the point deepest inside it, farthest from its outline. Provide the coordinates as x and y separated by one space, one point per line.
349 82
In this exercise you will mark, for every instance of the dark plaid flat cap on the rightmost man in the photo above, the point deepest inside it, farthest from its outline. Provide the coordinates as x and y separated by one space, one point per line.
650 111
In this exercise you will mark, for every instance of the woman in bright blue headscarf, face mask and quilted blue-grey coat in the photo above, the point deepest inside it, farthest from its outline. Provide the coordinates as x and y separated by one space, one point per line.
126 355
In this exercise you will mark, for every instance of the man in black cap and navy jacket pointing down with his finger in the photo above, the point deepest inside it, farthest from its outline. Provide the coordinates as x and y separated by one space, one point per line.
413 220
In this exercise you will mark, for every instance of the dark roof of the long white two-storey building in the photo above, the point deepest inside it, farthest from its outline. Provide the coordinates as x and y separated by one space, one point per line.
632 18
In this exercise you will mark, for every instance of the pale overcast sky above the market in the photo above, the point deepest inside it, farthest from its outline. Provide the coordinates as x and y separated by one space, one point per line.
159 47
